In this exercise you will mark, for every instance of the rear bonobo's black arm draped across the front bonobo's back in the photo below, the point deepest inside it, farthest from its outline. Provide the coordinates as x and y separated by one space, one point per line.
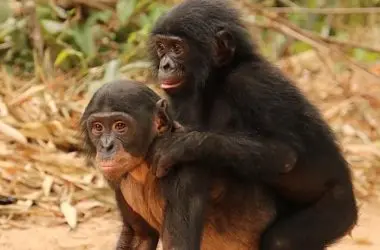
243 155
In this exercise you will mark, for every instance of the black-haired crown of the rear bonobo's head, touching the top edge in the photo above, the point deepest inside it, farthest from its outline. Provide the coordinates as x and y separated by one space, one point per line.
197 19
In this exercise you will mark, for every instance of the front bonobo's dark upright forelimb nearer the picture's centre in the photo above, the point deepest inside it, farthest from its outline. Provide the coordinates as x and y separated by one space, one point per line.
186 191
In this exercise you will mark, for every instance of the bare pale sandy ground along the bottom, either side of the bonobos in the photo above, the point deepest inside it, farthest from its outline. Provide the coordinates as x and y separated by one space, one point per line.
101 233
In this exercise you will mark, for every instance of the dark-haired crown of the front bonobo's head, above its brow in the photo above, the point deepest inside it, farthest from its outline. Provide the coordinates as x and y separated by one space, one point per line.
122 96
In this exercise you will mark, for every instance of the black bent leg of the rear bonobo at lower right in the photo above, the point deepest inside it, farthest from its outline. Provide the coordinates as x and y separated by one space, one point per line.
317 226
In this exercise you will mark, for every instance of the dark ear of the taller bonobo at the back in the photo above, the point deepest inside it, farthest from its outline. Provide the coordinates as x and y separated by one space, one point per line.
225 47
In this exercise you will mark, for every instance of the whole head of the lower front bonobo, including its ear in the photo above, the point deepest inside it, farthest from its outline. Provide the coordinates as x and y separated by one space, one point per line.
120 123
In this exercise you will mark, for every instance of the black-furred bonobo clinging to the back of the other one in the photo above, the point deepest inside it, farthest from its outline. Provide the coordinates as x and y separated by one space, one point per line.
240 107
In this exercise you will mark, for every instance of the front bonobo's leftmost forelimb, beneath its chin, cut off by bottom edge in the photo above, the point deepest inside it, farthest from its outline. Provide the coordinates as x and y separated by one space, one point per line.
136 234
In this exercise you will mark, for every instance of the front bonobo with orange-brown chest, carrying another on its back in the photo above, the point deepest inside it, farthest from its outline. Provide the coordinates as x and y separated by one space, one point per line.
124 126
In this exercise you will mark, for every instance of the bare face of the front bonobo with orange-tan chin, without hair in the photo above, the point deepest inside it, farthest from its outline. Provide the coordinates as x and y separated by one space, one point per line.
114 136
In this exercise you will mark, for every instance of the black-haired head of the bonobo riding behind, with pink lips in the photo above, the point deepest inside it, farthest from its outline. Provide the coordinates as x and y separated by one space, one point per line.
196 41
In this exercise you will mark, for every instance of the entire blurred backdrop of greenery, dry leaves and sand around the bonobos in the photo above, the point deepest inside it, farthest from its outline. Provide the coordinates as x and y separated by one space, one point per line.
55 53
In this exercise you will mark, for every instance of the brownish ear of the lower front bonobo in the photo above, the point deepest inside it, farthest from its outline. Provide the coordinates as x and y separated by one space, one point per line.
163 122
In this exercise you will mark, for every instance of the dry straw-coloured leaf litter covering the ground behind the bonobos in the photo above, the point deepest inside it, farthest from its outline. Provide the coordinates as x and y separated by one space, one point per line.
41 166
